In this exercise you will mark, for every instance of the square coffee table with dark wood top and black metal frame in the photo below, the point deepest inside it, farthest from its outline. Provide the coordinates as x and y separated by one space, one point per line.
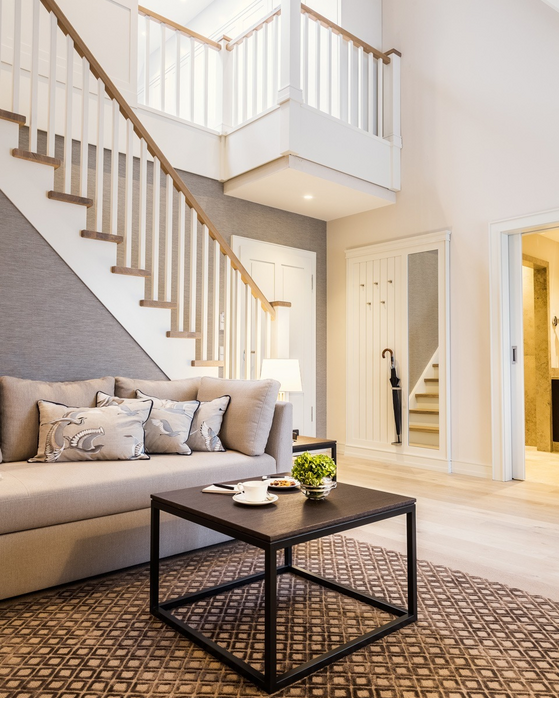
290 521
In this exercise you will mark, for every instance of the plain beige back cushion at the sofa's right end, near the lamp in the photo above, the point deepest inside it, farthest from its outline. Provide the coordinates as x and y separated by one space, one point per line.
248 420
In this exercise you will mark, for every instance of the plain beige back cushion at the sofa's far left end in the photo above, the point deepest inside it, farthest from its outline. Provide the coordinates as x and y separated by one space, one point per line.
19 415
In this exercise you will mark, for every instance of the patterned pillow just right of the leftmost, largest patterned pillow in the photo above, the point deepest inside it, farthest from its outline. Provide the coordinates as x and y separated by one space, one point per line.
168 427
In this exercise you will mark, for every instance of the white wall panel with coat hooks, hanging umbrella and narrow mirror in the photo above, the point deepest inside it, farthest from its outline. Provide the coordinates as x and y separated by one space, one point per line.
397 299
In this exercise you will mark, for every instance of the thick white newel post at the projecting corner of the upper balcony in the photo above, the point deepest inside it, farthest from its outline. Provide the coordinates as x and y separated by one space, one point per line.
290 52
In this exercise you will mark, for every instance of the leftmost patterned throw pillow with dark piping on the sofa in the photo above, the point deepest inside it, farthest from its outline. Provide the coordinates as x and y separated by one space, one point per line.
69 434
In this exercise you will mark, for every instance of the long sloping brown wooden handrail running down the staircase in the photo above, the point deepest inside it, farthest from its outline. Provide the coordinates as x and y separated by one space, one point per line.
142 133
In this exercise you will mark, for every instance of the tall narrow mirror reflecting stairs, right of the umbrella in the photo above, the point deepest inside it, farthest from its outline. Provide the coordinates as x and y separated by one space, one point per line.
423 349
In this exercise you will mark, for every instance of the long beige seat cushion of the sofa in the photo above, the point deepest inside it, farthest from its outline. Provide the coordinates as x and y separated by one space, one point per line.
44 494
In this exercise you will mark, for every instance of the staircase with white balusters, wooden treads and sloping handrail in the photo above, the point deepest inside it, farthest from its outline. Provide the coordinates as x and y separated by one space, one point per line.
79 164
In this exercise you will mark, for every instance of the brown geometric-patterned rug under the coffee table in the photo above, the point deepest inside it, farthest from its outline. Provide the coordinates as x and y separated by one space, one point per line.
474 638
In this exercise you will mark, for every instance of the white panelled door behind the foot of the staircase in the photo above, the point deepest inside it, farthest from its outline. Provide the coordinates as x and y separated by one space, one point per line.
288 274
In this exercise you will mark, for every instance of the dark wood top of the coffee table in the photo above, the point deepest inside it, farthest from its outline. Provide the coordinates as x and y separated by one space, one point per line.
291 516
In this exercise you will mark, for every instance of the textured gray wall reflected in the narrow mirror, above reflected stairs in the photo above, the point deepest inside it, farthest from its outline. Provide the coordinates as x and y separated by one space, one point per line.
423 311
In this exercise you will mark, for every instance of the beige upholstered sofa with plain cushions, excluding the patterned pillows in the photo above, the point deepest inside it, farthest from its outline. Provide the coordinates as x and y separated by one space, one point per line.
60 522
